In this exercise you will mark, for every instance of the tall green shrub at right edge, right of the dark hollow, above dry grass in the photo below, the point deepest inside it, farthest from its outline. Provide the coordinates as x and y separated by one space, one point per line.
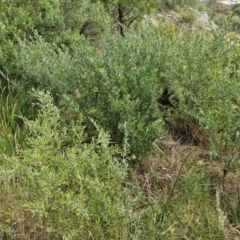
205 77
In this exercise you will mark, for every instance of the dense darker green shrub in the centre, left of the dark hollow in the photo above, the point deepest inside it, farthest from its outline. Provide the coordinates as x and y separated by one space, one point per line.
122 92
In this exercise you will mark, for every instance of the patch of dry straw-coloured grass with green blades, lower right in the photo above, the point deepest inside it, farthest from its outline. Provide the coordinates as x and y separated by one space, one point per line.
194 212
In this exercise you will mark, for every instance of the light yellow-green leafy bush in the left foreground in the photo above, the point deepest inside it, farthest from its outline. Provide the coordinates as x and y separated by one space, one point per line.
53 191
